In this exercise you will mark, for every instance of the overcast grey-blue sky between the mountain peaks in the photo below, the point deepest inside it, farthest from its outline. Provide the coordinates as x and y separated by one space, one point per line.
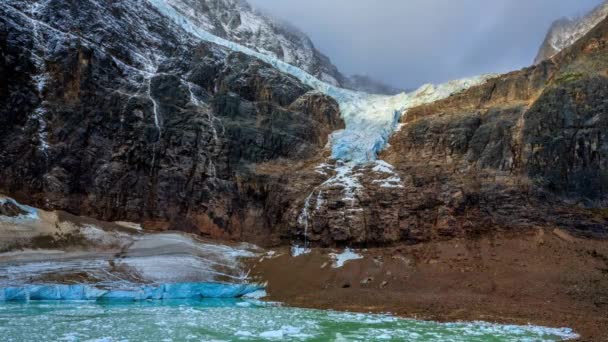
410 42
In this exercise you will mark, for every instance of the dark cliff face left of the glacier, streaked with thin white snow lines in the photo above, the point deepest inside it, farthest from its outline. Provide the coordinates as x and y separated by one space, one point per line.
114 113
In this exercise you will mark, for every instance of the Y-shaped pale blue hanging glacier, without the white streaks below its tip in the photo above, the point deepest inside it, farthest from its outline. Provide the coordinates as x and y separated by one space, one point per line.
370 119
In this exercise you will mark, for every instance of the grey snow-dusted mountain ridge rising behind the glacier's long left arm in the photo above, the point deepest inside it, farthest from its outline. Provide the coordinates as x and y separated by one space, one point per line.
237 21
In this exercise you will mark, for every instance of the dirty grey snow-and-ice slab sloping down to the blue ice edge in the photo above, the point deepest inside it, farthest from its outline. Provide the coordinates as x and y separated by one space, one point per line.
111 257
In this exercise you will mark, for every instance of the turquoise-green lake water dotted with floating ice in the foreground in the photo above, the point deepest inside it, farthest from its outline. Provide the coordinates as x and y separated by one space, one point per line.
235 320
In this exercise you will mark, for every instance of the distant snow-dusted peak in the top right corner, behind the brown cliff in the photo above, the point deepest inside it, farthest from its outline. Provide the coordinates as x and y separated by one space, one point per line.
564 32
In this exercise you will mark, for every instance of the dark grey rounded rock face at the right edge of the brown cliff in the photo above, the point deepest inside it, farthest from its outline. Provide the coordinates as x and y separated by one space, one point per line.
566 140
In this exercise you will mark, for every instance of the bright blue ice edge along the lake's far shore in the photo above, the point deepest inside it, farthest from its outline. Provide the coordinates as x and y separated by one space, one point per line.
53 292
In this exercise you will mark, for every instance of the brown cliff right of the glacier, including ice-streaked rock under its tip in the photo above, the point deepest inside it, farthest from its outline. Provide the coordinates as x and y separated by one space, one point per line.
524 150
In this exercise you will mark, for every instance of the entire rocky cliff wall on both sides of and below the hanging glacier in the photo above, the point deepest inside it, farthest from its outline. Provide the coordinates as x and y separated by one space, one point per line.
114 111
